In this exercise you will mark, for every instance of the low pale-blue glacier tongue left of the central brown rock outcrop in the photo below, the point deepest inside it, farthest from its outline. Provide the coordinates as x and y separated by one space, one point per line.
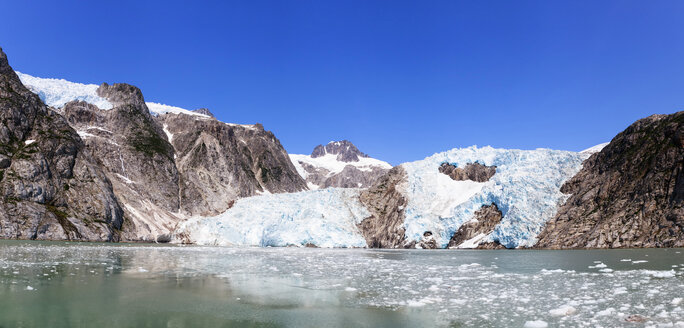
325 218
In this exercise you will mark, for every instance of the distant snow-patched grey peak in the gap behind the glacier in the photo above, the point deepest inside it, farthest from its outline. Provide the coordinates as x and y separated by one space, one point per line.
339 164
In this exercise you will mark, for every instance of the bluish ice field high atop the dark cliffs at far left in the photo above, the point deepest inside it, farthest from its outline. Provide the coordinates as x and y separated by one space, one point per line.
57 92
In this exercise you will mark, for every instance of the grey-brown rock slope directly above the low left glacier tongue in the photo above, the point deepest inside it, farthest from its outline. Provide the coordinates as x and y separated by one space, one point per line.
220 162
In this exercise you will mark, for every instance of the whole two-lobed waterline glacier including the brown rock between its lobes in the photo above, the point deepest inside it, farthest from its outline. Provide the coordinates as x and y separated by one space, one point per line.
417 204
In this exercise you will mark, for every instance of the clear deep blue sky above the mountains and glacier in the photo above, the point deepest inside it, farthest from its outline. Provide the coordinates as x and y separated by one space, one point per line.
401 79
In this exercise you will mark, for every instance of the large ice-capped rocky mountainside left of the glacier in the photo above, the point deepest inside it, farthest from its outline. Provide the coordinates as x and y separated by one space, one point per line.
149 186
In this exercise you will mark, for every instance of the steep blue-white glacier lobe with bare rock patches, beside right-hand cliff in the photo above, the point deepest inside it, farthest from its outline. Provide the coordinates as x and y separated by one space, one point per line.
526 188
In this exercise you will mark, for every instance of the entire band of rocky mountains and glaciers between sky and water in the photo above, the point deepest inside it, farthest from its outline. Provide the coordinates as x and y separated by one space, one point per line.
100 163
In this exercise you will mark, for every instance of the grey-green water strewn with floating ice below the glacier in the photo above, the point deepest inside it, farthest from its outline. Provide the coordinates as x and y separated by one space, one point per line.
59 284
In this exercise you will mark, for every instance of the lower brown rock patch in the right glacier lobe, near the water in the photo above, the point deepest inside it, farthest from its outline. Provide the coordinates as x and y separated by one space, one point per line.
484 222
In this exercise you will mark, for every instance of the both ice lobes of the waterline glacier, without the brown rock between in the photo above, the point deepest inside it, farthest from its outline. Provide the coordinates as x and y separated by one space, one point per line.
526 188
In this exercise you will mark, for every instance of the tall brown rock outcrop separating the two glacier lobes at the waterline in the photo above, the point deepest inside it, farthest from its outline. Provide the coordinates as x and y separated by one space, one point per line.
386 203
